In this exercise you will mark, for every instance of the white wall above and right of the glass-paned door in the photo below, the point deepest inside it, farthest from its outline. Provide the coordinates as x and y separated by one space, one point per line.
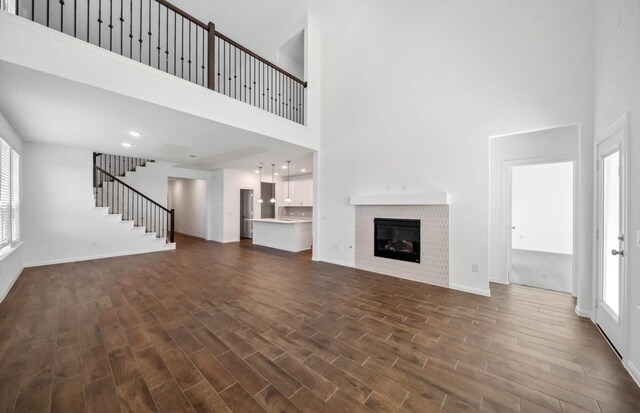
618 91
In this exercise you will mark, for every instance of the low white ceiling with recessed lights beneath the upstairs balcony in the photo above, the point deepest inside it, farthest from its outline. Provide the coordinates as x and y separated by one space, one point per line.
44 108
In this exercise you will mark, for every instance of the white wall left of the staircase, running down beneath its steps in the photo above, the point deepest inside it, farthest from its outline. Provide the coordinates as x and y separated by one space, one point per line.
60 222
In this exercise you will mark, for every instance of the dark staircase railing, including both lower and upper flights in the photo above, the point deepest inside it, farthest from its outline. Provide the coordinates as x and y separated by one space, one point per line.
126 203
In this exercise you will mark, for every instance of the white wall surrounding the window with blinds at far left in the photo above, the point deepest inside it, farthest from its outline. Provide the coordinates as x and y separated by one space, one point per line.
11 265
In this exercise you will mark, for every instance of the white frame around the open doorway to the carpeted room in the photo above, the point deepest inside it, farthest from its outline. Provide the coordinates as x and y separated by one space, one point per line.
506 168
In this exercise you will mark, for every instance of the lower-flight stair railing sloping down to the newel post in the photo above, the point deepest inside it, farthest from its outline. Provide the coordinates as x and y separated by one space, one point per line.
134 206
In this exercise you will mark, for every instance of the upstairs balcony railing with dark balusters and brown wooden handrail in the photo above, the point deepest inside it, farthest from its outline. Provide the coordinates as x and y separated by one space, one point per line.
160 35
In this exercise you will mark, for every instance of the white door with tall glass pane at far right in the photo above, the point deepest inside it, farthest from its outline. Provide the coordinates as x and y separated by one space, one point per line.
611 238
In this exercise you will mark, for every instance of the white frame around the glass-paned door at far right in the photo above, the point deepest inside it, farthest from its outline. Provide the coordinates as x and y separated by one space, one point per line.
620 125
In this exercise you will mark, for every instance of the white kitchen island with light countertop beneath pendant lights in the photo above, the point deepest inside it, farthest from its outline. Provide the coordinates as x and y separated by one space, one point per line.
292 235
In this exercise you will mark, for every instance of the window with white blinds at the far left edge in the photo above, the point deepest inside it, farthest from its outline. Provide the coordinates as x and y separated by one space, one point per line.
9 195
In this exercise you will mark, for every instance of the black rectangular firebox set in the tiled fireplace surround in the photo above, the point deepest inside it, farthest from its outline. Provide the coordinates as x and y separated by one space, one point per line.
397 239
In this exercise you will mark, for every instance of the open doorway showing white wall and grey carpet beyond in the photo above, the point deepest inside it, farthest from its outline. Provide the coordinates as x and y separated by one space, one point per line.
540 234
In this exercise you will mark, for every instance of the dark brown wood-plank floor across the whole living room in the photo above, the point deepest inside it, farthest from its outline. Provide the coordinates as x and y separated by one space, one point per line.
213 327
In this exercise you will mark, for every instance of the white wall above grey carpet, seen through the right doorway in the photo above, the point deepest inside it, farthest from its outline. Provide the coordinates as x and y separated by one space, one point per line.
542 212
